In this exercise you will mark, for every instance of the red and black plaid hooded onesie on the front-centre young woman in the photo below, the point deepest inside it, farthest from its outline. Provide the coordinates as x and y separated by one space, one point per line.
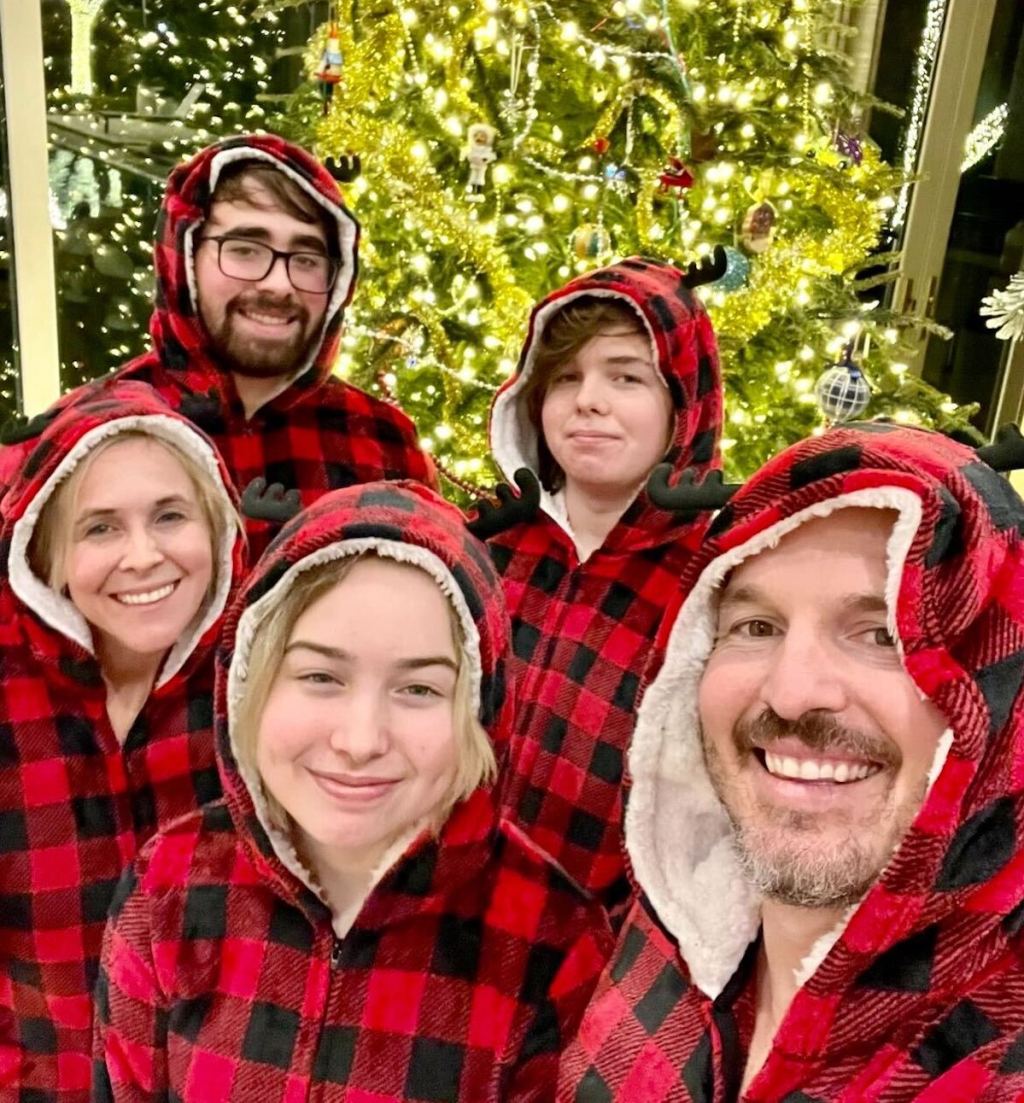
467 967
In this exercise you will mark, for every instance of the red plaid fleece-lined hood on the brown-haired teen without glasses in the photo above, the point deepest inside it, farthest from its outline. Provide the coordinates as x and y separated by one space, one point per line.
687 356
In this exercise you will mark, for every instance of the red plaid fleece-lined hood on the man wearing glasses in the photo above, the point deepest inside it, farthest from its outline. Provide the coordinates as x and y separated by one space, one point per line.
179 338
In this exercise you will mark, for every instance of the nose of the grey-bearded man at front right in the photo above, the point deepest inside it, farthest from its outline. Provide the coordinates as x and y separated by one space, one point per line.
804 676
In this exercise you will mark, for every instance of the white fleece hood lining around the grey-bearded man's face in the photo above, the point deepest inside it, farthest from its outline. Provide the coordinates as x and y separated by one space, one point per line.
678 834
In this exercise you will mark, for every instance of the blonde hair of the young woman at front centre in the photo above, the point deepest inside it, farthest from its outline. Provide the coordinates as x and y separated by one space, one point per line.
476 765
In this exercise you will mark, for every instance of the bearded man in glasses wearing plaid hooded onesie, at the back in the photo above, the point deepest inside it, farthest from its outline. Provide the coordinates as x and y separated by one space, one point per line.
255 262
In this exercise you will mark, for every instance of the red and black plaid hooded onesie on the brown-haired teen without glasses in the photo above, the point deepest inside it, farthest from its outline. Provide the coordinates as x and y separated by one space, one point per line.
582 631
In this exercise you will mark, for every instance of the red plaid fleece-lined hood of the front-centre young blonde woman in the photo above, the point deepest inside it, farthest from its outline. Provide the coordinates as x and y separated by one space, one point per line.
400 521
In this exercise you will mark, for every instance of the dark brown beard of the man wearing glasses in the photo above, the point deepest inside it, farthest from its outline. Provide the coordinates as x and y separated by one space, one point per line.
250 357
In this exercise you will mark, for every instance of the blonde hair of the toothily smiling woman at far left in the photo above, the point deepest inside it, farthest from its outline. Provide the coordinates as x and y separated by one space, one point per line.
51 538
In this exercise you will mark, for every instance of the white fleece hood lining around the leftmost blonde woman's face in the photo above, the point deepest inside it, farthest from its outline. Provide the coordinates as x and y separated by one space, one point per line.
58 611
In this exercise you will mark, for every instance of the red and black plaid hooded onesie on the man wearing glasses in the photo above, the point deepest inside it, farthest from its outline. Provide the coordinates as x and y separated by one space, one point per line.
321 433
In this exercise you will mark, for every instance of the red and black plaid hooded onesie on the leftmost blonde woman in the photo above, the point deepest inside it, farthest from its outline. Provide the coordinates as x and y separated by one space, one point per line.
76 806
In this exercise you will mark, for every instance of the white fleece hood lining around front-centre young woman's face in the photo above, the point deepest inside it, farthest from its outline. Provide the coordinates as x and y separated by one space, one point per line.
249 624
